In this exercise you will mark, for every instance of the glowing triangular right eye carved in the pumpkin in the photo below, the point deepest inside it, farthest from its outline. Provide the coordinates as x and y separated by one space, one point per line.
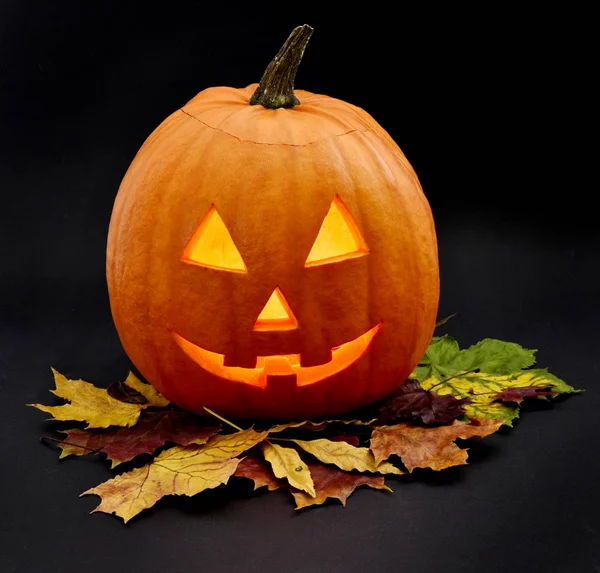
339 238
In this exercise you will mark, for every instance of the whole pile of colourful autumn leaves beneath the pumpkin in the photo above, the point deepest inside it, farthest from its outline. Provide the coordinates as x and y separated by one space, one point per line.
453 394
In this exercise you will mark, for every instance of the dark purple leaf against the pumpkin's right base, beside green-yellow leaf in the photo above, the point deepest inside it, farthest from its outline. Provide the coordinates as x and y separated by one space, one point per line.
412 401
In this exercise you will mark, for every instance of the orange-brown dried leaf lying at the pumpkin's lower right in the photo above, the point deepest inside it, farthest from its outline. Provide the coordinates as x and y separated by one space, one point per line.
432 447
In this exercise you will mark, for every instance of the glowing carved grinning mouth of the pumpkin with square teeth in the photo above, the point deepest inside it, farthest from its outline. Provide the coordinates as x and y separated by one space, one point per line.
343 356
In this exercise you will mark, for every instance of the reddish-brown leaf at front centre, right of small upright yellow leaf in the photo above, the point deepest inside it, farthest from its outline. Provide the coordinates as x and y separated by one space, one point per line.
334 483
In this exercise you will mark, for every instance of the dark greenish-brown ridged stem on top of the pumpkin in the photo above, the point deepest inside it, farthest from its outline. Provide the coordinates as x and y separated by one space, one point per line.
276 88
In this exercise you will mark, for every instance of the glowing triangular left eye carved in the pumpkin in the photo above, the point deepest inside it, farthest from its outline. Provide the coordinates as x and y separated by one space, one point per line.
212 246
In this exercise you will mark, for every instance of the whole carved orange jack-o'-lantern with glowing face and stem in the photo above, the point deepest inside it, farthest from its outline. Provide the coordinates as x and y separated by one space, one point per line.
271 254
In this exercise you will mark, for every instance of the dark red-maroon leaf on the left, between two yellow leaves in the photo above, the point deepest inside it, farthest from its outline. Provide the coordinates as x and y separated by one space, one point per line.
152 431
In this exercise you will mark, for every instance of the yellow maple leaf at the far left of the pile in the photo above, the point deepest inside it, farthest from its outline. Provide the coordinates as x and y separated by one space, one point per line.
89 404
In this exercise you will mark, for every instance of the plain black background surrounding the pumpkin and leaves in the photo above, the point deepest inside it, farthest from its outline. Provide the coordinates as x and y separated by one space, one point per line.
487 103
